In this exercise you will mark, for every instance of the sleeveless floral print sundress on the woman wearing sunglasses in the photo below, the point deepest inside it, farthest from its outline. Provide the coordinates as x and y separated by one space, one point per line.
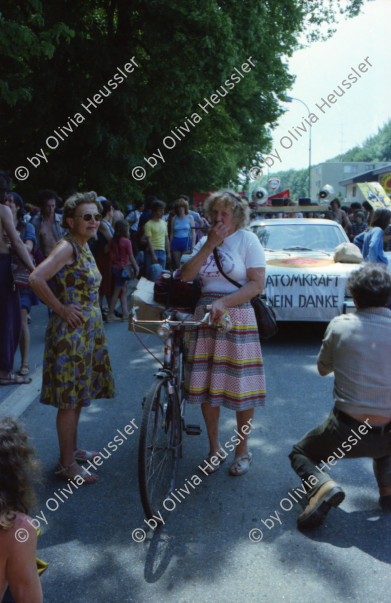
76 364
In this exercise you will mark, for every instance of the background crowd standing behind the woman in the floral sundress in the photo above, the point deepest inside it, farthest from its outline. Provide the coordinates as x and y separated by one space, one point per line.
142 240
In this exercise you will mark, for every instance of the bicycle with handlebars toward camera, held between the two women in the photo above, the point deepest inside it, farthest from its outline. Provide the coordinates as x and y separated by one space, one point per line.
163 418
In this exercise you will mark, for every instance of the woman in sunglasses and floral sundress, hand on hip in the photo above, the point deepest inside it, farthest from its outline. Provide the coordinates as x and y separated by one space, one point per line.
76 367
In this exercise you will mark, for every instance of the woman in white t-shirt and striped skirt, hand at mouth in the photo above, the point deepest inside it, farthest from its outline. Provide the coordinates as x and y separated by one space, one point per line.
226 368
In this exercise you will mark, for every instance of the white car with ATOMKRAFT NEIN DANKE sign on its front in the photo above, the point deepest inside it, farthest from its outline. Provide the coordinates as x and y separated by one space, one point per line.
303 282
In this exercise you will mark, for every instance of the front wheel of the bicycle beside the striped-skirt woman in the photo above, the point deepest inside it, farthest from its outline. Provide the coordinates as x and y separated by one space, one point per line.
159 446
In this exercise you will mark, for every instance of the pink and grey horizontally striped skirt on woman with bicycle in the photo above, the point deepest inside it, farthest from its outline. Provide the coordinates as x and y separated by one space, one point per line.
225 369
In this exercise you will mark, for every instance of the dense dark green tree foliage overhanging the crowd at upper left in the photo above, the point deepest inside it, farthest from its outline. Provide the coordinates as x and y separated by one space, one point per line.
65 52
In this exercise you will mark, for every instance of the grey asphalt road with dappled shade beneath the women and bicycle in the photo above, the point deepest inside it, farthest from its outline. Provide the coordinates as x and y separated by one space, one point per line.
203 553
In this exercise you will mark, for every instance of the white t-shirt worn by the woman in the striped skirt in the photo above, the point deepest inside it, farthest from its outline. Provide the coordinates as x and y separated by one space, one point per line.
240 251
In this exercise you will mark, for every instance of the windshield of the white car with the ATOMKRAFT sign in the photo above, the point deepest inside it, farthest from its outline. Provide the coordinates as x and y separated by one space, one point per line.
299 237
